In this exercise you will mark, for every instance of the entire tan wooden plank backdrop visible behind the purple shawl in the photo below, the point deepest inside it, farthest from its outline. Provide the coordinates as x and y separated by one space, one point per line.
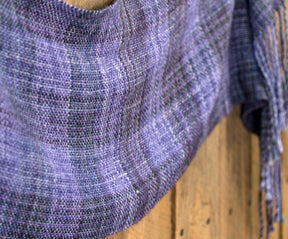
217 197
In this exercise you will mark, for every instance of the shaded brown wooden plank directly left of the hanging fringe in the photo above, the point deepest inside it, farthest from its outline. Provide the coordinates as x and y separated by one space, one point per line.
236 179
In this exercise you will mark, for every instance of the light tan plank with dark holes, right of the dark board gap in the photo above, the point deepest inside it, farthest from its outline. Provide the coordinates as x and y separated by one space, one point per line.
198 190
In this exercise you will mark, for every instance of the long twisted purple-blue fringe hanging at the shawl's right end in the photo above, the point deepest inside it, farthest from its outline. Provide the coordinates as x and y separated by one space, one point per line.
270 47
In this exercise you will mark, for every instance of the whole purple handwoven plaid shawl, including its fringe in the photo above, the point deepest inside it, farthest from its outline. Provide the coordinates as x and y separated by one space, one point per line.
101 112
